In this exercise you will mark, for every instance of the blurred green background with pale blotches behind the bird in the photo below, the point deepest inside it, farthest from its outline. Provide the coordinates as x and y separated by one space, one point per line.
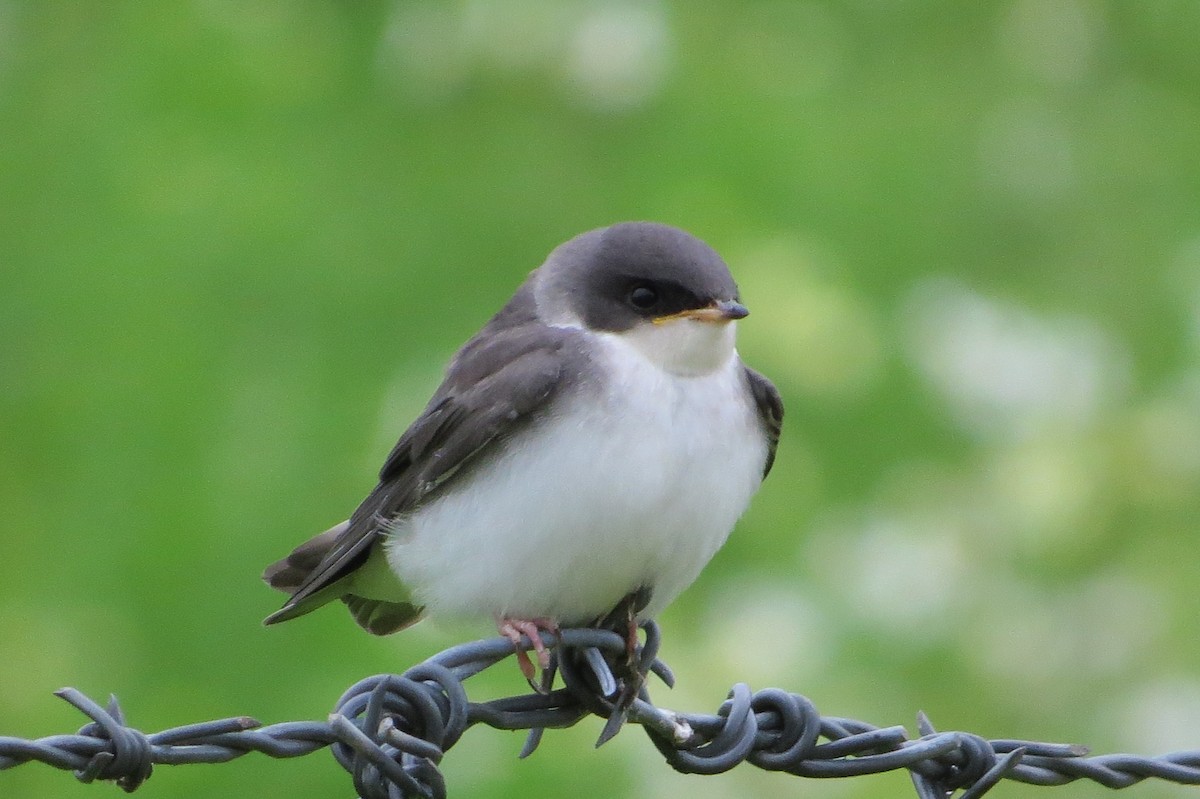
238 242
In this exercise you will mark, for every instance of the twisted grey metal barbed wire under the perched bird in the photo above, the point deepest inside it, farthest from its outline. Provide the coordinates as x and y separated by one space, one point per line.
392 731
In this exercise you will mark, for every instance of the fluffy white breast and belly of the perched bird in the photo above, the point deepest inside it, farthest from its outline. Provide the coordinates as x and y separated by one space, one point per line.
637 484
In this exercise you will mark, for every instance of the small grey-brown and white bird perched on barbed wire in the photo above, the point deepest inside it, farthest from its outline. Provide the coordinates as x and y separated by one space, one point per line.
595 442
